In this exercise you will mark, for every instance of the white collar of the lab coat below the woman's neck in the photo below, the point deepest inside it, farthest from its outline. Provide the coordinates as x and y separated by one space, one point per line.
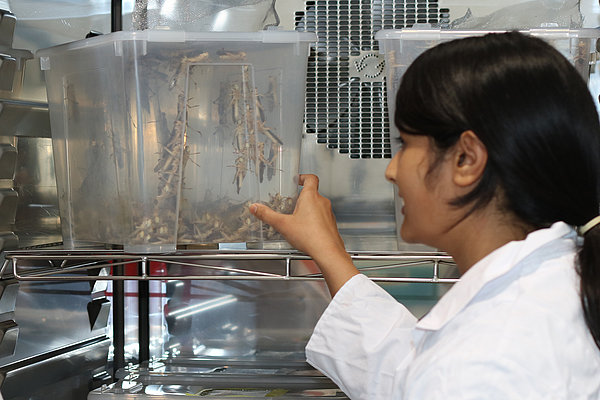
492 266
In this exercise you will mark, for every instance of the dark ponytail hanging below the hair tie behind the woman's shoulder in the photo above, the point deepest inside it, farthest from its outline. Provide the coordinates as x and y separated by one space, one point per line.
589 272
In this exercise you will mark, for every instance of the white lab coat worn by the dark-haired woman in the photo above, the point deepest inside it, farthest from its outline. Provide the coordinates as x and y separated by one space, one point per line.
511 328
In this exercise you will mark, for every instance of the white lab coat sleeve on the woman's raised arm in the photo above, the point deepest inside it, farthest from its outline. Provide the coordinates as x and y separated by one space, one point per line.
363 341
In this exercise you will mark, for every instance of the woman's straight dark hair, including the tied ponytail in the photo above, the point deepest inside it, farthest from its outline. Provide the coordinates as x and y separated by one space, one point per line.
535 115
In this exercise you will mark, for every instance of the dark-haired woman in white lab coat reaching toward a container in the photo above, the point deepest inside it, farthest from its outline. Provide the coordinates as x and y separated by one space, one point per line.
499 165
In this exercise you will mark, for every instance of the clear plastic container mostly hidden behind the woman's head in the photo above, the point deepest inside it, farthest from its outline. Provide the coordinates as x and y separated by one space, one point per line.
401 47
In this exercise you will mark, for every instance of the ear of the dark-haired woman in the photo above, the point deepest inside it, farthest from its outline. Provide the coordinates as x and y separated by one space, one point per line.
469 159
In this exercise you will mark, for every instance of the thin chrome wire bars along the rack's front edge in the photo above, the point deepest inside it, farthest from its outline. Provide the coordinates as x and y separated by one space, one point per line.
57 265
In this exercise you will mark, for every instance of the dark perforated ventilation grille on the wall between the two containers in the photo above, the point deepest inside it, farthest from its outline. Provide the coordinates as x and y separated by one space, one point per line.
346 102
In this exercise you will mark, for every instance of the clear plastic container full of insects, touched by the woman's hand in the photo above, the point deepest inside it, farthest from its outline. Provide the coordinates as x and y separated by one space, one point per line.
164 138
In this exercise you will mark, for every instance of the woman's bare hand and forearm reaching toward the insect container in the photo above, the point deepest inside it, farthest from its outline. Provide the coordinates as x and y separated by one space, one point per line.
312 230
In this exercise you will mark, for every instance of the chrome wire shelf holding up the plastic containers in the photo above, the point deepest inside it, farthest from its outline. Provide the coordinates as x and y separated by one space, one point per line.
70 265
